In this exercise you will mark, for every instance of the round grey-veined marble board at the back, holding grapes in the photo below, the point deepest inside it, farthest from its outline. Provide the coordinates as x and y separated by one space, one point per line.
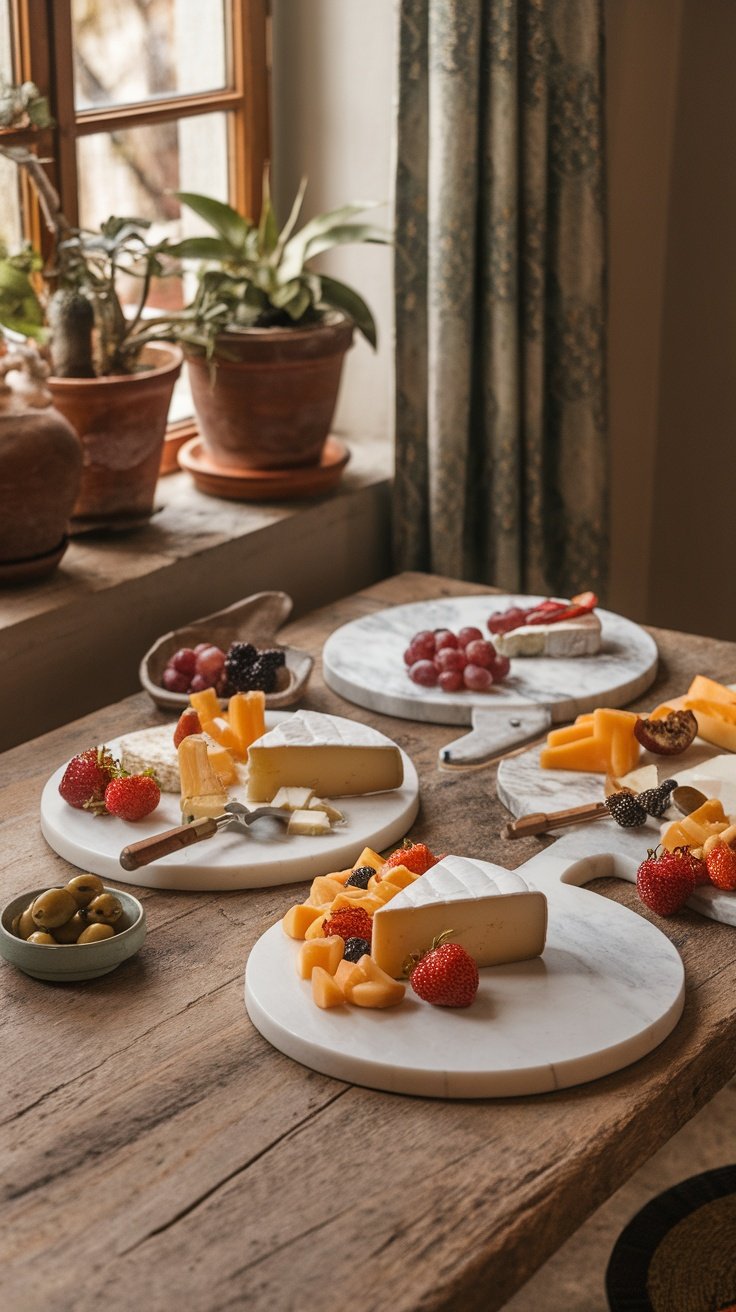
364 662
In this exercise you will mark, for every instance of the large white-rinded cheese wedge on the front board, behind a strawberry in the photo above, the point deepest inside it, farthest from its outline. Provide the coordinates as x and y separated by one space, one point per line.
489 910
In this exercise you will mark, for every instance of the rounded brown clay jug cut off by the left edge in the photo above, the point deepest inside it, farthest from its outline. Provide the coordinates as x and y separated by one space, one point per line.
40 470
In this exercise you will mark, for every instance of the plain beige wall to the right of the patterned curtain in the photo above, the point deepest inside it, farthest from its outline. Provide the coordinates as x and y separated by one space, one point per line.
672 188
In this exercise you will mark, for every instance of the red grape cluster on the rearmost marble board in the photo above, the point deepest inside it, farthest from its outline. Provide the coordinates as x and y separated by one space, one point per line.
455 662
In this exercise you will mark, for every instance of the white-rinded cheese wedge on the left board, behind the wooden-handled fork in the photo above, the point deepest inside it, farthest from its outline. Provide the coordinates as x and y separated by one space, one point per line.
334 758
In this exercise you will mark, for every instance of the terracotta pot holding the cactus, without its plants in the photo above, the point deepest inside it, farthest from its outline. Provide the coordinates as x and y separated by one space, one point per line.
121 423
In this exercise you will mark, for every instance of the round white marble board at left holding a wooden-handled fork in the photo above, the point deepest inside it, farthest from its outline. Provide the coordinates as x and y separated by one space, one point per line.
234 859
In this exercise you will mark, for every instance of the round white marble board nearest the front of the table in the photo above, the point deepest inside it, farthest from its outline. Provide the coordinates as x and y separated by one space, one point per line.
608 990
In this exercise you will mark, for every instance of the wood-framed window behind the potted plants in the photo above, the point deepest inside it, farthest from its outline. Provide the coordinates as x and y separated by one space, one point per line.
149 98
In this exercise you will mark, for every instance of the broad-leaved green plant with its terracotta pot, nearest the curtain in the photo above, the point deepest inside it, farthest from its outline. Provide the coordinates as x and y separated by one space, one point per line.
266 335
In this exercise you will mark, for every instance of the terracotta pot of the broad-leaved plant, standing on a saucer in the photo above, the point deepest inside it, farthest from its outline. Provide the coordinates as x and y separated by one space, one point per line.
267 401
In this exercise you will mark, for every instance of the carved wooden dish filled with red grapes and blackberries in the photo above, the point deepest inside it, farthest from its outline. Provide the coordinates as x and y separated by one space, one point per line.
233 651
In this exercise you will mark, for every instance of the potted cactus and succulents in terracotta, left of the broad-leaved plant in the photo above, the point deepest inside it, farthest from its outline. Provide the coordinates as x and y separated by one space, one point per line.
112 377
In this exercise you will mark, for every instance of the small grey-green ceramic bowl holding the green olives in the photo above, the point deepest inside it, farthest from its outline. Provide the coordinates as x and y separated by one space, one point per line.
73 961
